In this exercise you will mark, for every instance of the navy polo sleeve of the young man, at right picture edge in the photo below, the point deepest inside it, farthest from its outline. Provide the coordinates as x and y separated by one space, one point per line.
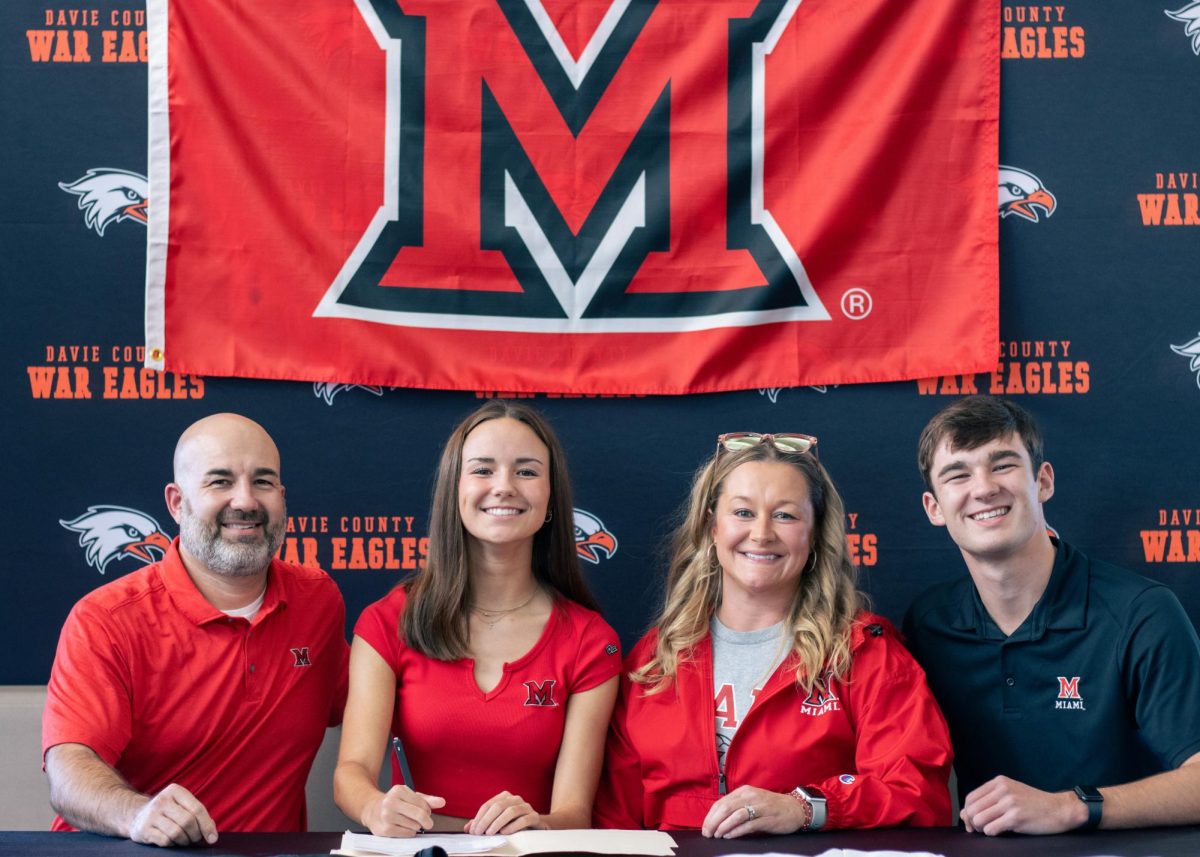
1162 661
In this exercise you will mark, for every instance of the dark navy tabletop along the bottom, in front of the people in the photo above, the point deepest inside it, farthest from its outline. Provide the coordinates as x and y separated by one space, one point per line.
1163 842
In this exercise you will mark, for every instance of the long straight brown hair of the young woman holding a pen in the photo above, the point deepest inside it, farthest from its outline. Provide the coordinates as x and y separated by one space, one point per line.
435 619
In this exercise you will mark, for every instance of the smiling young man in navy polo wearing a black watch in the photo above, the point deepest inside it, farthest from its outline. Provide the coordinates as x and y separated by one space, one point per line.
1072 688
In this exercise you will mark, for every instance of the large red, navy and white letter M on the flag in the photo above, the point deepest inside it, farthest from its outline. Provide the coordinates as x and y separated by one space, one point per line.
611 185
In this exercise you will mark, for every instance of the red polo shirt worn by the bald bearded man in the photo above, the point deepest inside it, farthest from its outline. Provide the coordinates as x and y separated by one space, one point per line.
167 690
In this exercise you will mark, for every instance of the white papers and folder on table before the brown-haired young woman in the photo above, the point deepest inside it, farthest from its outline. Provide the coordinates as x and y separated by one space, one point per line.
650 843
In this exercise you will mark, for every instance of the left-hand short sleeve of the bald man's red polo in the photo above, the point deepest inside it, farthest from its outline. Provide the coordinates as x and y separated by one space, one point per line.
89 698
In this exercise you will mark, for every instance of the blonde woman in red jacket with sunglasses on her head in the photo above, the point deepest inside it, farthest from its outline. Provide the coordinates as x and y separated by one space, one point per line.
765 699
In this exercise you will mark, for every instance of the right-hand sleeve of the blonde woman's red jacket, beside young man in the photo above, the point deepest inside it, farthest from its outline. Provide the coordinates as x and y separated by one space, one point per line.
903 757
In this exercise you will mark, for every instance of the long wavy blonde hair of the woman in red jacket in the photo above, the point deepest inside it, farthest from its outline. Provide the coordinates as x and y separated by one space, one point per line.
826 598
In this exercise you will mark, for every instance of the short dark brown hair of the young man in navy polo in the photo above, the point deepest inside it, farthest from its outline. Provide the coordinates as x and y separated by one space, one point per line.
973 422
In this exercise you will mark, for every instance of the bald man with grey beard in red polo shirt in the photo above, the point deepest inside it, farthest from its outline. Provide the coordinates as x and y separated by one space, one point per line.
193 696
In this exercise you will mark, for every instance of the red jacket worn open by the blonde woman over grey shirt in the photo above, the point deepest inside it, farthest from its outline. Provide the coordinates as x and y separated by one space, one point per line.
875 742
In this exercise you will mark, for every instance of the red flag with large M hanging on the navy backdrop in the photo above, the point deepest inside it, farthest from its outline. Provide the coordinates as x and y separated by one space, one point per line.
574 196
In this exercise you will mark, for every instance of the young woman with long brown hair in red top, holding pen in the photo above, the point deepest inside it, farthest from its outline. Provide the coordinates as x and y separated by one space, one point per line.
491 664
